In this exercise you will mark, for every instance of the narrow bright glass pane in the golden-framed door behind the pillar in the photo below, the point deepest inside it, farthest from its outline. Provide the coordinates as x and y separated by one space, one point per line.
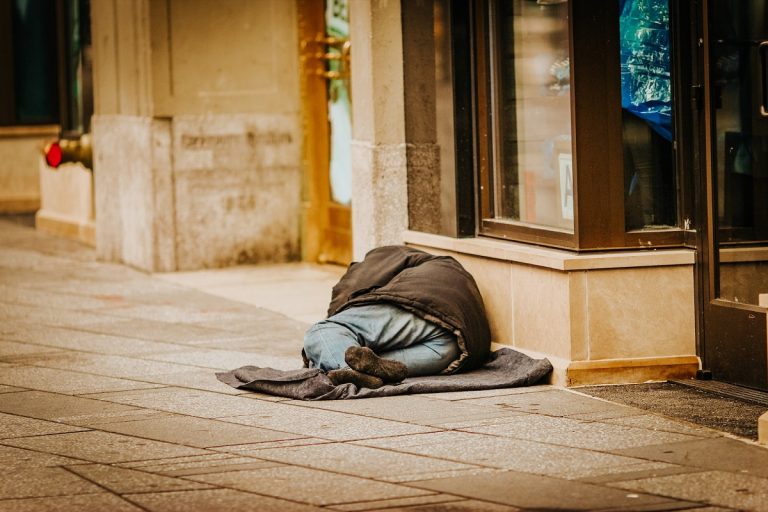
337 26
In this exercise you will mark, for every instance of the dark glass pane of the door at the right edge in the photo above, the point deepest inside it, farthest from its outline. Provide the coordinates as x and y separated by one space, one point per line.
739 62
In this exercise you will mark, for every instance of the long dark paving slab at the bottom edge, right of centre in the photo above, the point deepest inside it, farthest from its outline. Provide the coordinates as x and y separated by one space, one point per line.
535 492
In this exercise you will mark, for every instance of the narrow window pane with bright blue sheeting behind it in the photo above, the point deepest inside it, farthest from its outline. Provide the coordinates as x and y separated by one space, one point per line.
646 100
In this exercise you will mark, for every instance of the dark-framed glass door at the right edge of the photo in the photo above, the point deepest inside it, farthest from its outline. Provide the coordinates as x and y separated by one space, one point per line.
735 312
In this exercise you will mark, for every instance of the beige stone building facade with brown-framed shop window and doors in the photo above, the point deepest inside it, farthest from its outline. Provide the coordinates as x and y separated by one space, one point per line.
602 173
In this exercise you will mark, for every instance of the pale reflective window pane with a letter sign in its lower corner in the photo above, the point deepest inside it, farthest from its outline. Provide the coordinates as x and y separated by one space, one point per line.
533 170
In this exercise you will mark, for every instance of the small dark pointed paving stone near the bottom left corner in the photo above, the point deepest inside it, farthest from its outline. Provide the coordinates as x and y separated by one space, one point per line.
123 480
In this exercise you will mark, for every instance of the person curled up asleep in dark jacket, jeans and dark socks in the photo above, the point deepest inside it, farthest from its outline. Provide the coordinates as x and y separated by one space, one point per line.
399 313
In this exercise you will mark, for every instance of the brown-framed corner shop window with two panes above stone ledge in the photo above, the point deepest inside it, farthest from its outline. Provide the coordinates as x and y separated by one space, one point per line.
578 142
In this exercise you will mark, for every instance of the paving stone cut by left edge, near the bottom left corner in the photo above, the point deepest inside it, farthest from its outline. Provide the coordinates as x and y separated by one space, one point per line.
37 482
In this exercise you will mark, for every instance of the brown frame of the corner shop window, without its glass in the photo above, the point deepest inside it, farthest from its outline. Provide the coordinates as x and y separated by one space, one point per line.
596 136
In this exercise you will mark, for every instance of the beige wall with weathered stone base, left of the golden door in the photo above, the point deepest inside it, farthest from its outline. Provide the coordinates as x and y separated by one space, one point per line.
196 132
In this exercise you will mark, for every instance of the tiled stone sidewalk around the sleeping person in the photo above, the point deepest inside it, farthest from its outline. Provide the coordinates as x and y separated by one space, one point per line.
108 402
